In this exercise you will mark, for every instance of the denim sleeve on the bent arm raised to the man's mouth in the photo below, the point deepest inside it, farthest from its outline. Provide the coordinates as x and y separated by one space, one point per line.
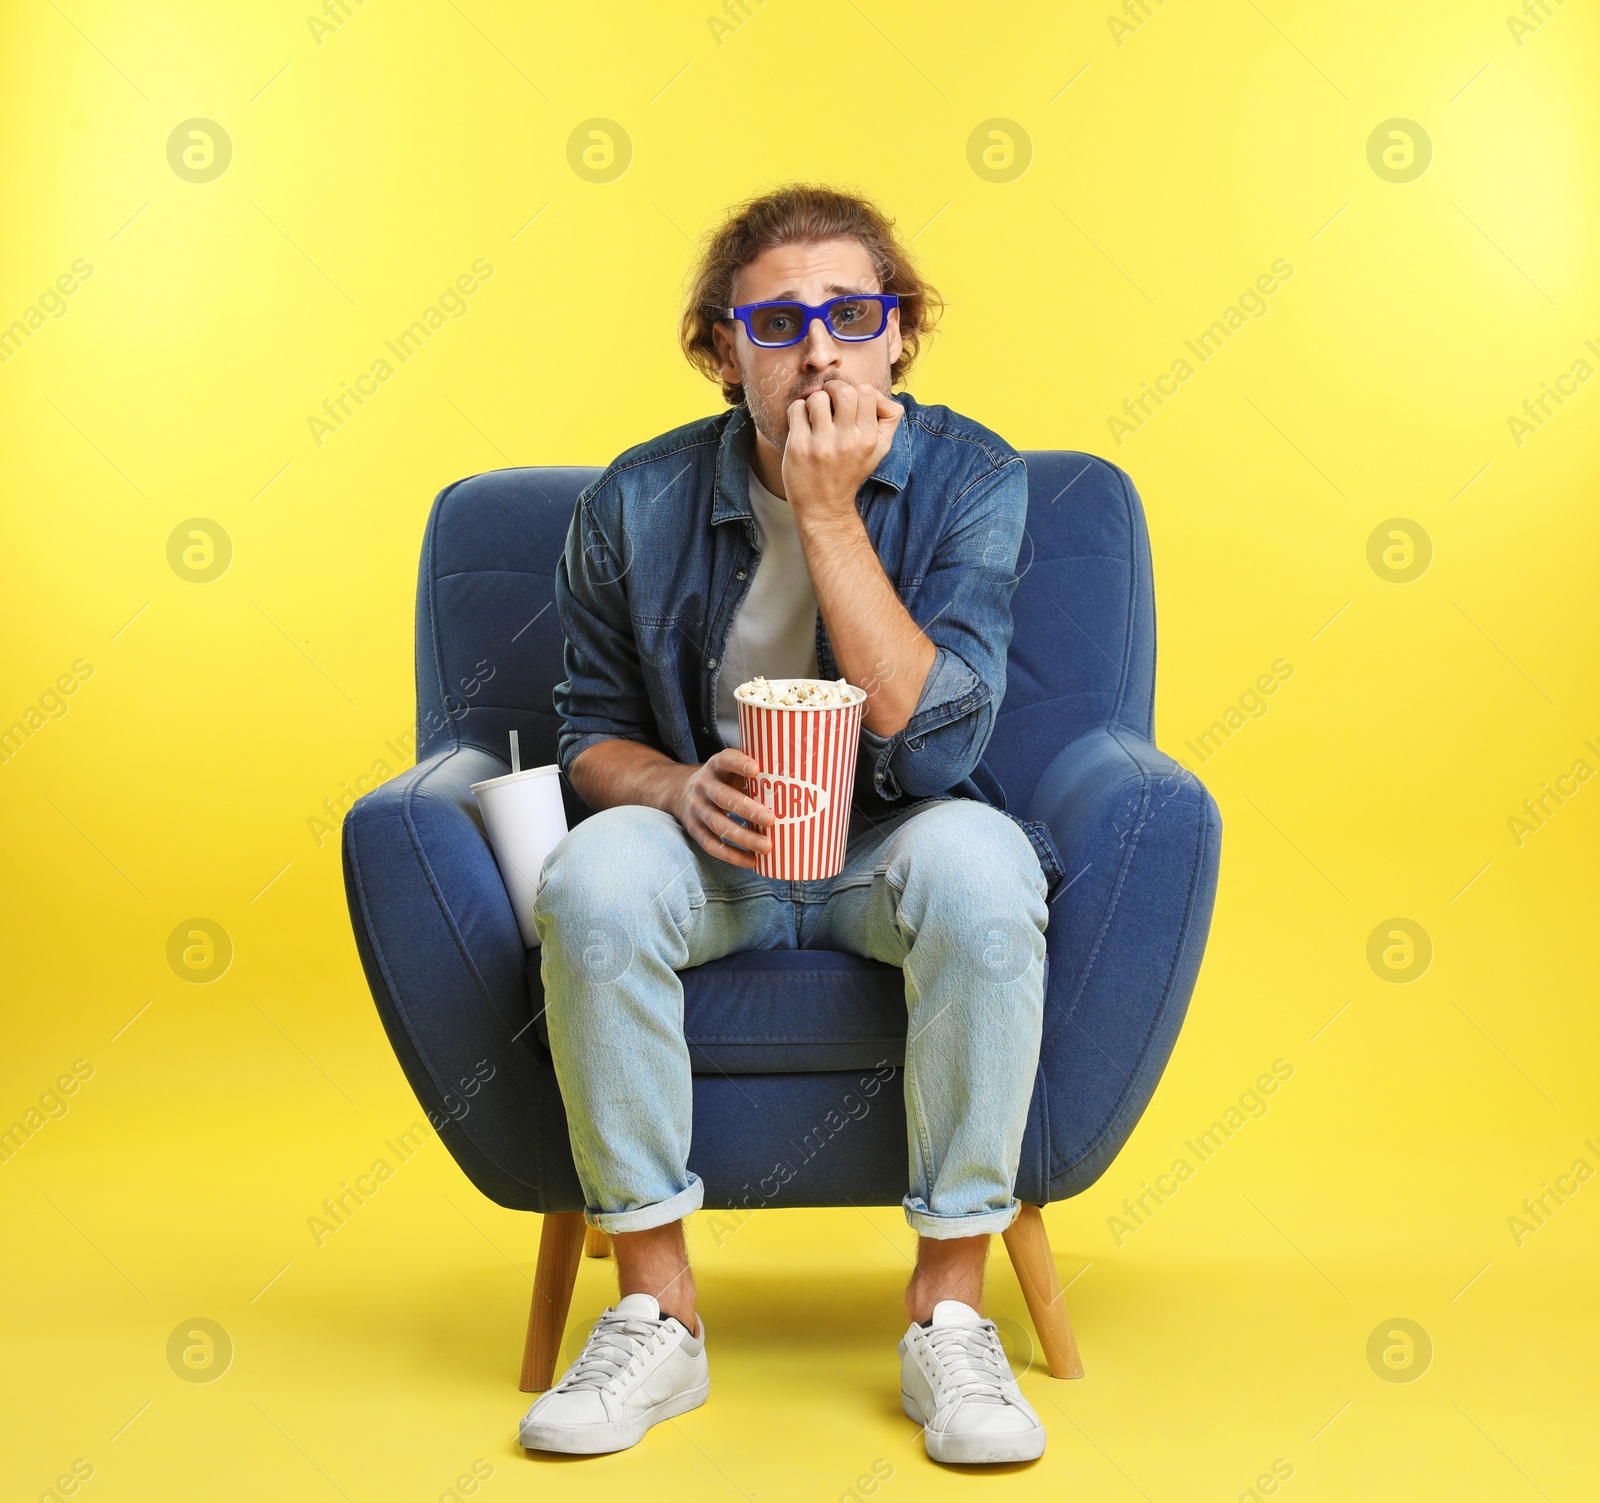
966 609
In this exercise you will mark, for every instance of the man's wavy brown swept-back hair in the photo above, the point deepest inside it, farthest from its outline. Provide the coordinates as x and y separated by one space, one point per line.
801 214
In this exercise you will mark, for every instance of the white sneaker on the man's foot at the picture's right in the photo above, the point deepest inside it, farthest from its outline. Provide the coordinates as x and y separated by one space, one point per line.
958 1385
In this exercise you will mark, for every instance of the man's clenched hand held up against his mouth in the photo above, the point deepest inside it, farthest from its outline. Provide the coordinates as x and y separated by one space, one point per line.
838 436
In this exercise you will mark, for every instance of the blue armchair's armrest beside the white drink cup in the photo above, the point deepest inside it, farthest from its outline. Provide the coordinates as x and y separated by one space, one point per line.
449 972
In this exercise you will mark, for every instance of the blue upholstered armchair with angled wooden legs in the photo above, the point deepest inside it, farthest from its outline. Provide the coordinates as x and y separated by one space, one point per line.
785 1041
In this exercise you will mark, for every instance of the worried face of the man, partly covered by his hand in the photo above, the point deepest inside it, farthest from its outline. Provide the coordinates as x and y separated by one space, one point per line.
774 379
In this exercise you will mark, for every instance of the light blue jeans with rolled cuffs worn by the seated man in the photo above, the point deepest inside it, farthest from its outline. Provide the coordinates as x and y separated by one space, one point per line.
946 889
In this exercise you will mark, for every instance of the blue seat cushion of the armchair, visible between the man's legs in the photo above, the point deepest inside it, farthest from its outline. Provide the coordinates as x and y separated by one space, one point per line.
778 1011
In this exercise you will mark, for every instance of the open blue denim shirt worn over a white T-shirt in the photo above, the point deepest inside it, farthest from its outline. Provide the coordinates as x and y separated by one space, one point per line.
662 551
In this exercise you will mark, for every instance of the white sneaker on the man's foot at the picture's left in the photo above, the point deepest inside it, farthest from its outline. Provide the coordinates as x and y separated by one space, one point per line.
636 1369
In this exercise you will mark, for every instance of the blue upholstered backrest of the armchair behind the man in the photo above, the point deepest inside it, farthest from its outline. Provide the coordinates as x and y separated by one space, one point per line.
489 643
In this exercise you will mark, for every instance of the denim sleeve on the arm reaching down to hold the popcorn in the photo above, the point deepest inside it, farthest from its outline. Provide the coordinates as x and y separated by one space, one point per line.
604 695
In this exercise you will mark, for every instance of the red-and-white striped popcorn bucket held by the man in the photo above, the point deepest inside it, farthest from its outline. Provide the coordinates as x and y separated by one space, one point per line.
807 763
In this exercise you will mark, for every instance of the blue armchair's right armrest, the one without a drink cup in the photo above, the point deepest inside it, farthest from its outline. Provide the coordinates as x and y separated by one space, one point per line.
1140 840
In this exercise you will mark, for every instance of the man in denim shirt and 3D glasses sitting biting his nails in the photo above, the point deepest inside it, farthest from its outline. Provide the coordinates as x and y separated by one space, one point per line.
817 531
